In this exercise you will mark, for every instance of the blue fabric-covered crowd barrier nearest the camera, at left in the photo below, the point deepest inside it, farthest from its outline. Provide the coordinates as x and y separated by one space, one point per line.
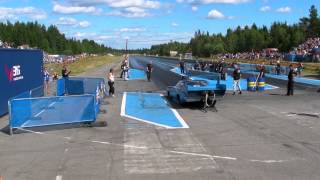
45 111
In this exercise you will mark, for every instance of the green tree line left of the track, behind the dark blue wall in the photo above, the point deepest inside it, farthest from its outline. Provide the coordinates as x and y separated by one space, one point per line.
48 39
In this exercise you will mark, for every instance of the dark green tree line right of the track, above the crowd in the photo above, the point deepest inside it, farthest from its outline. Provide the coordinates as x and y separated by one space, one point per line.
247 39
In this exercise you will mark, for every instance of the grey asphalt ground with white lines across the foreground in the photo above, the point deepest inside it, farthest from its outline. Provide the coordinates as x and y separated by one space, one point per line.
253 136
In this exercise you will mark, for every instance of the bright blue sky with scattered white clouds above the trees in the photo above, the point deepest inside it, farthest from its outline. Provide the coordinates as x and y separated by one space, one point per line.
147 22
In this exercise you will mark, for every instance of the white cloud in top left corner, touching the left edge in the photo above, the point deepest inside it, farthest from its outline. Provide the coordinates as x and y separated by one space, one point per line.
16 13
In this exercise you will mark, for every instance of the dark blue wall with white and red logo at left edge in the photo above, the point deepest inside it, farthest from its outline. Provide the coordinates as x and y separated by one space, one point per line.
20 71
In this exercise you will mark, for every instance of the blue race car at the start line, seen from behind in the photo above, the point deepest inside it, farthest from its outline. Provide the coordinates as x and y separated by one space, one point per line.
195 90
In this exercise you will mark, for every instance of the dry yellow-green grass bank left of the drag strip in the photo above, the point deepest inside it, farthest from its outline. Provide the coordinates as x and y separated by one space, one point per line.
83 65
